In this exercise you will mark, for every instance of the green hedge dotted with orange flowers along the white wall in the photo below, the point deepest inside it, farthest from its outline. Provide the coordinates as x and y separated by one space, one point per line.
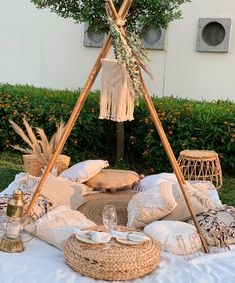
188 124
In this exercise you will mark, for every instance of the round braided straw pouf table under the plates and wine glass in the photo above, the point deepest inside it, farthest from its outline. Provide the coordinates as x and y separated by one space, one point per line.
120 262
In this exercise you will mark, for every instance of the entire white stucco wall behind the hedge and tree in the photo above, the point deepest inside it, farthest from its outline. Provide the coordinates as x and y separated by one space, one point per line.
41 49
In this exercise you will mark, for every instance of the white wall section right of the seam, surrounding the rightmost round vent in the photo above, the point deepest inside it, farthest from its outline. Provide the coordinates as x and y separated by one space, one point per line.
198 74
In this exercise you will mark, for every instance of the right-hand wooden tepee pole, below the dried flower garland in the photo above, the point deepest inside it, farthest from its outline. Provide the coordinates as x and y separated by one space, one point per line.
173 160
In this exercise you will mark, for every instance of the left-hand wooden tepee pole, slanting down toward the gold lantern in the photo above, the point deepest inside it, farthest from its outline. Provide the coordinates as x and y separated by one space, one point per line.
94 72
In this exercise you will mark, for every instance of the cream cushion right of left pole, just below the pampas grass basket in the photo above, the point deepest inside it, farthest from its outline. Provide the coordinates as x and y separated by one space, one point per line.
61 193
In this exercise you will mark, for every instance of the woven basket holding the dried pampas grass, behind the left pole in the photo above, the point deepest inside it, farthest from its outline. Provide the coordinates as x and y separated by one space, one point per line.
33 166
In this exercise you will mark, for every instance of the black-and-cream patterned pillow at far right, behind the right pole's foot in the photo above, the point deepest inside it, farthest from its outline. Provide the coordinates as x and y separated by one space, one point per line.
218 225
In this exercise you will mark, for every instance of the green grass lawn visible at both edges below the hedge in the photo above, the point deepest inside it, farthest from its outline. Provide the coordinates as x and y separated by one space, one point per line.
11 164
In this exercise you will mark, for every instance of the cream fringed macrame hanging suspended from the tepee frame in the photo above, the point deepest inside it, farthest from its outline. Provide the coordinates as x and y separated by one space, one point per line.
117 99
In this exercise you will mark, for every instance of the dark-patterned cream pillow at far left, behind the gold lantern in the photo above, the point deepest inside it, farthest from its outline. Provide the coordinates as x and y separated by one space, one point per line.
41 207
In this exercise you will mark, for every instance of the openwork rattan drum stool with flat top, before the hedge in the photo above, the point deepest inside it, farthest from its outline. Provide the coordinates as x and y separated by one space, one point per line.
201 165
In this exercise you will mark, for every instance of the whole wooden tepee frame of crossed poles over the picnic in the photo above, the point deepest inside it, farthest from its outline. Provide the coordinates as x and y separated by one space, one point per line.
76 111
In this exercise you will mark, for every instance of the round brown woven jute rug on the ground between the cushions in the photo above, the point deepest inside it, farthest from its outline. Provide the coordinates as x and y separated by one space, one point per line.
95 203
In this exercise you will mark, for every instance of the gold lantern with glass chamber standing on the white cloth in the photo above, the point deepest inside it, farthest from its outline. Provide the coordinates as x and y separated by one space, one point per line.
12 223
